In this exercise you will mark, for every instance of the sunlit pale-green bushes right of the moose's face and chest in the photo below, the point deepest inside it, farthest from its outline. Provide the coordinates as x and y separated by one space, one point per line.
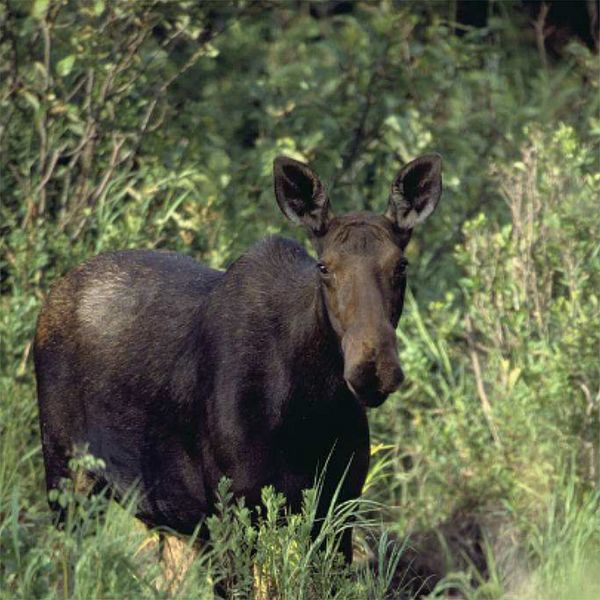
501 377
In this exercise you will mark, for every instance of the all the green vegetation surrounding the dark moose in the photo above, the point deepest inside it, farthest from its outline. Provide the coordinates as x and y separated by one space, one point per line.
155 124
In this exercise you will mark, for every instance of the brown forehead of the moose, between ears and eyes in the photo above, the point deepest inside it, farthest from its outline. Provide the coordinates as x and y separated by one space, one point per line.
361 235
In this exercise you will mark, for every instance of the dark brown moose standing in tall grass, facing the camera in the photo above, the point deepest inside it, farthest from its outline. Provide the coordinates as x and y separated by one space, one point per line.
177 375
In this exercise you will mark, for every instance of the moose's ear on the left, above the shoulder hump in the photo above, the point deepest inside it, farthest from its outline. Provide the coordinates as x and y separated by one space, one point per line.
301 195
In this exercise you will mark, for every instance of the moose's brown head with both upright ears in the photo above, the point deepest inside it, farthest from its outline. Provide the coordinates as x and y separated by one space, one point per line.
361 264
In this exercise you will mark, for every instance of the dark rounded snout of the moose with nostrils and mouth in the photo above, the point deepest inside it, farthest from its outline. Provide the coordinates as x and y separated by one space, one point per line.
372 374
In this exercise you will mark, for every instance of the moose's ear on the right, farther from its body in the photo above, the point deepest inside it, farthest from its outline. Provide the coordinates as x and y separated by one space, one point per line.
415 192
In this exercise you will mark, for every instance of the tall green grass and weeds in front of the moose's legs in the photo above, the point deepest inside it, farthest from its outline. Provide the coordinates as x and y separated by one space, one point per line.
102 552
